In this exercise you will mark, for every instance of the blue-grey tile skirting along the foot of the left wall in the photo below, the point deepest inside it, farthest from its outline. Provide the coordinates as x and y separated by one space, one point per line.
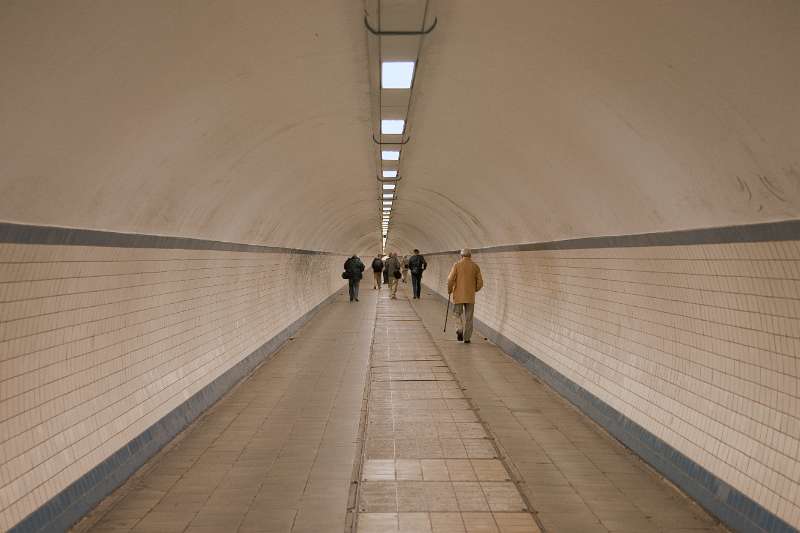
72 503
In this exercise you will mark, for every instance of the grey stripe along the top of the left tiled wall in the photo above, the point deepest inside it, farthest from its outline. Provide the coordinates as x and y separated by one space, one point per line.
53 235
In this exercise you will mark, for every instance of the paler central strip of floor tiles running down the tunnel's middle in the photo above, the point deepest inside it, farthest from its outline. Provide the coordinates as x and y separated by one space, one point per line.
428 464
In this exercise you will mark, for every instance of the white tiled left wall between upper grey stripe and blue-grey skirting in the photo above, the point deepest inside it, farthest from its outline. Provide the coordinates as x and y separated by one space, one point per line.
97 344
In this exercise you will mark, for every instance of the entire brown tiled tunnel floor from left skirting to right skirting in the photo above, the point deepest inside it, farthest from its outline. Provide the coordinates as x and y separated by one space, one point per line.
458 438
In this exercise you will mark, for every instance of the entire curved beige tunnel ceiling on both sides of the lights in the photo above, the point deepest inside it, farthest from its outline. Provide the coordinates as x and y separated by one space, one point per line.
531 121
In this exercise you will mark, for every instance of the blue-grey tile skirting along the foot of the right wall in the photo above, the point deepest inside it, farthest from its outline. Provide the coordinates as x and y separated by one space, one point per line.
732 507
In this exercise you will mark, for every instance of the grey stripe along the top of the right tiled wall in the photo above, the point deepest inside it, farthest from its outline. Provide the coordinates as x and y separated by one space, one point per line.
786 230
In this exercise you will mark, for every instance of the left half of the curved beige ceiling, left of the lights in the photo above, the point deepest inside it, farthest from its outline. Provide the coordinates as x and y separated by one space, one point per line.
242 121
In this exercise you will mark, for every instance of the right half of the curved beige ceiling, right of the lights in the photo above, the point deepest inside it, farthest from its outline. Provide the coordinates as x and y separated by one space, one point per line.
544 120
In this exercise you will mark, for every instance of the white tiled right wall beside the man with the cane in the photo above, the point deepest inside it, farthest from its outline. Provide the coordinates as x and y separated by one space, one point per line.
698 344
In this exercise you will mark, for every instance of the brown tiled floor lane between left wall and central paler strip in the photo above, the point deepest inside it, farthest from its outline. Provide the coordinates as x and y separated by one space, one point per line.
275 455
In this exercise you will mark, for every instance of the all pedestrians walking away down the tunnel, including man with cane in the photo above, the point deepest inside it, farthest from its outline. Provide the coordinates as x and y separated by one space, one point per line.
463 282
